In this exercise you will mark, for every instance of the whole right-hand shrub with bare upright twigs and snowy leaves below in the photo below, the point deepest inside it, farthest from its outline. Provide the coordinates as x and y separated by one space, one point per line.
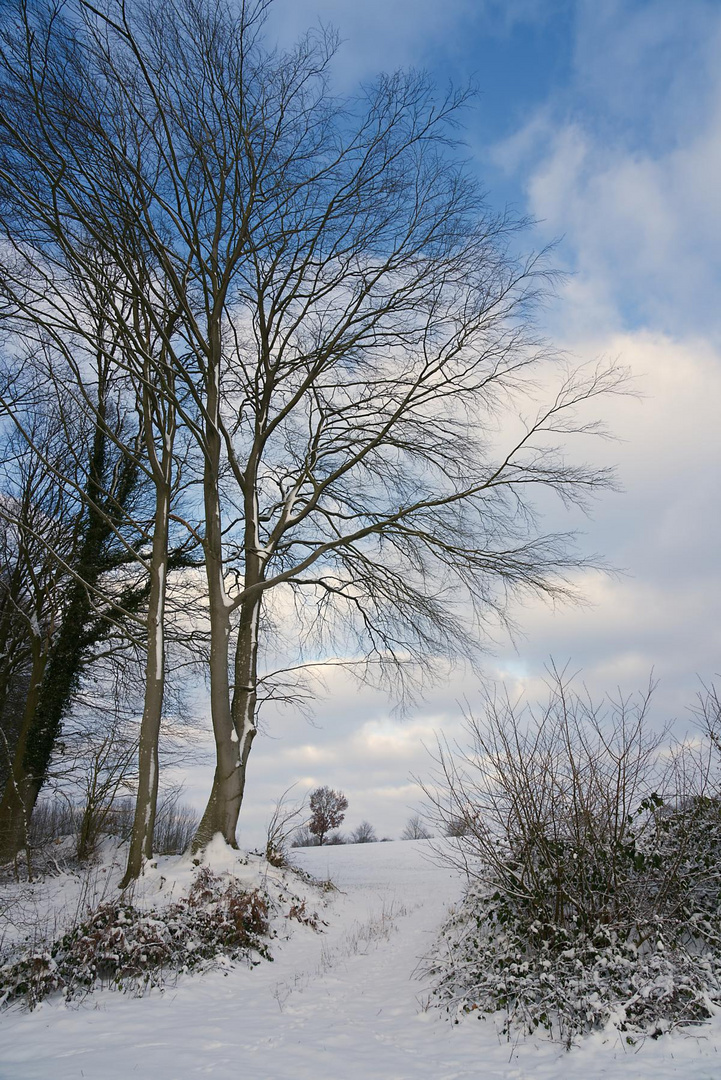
594 859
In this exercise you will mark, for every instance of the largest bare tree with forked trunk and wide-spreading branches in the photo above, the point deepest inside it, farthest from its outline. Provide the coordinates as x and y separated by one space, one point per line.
342 313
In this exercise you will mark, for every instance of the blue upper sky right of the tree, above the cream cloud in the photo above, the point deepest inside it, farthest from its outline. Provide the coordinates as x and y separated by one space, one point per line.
621 98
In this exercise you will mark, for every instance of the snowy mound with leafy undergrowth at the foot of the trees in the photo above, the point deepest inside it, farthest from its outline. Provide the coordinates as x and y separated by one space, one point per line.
185 914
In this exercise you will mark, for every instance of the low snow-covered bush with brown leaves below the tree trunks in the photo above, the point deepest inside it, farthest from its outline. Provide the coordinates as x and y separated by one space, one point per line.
125 947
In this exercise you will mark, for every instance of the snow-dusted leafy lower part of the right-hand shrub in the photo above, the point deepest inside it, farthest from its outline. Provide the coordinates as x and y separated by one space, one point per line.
497 961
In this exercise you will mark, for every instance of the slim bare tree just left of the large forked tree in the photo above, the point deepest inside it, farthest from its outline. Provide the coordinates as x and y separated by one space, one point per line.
62 309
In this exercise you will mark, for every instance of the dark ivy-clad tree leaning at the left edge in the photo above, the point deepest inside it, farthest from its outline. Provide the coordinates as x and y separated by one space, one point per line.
71 503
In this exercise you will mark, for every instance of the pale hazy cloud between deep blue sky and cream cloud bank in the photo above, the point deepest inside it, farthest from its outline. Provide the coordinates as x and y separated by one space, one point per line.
646 233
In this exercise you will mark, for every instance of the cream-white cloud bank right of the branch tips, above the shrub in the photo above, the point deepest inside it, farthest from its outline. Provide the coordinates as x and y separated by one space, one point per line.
663 531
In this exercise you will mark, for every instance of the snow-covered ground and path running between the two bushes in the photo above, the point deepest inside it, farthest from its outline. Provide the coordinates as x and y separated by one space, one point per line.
345 1005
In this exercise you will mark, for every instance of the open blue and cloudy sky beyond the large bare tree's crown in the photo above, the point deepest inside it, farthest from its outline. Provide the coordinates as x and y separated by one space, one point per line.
604 123
